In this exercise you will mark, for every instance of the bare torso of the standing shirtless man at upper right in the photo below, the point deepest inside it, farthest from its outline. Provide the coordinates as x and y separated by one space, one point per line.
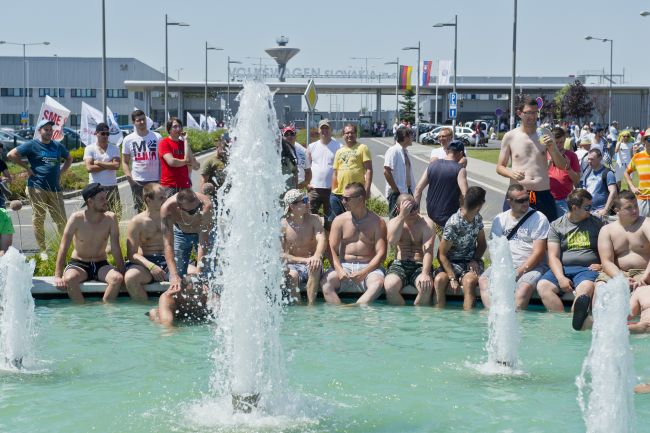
528 155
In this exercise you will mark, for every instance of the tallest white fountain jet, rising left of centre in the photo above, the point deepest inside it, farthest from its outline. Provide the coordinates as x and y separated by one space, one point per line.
248 355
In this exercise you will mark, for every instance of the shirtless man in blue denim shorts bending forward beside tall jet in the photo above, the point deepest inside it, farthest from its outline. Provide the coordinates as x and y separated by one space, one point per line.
187 220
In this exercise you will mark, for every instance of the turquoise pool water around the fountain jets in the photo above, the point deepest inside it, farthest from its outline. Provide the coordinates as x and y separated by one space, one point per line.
374 369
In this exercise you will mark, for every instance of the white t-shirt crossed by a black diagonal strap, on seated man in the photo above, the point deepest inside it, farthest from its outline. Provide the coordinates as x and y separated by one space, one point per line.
521 245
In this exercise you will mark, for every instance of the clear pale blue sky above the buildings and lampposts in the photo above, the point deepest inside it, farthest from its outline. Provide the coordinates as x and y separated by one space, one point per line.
550 33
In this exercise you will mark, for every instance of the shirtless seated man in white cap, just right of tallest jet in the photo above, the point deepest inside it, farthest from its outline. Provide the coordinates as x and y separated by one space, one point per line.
303 243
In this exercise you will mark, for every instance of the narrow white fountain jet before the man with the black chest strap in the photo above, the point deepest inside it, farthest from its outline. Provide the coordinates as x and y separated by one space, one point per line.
503 329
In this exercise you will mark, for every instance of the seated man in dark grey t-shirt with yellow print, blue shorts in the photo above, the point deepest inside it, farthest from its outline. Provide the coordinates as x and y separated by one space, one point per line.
573 258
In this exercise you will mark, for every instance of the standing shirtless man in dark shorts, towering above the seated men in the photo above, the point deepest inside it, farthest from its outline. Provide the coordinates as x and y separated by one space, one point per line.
529 161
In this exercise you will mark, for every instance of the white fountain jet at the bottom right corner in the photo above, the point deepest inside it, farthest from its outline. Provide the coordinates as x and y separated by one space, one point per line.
606 382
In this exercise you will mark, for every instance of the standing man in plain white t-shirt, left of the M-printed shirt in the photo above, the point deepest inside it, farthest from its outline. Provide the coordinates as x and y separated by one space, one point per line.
102 160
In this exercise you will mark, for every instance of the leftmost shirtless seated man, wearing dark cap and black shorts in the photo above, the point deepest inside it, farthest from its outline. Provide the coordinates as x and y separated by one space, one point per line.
90 229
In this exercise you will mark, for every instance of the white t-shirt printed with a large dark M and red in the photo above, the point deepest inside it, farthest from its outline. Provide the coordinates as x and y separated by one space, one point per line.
145 166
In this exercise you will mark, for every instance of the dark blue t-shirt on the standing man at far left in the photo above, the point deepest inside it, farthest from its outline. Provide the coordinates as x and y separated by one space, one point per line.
45 161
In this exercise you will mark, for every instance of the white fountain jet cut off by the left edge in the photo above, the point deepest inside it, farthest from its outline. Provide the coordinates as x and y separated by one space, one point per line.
17 318
